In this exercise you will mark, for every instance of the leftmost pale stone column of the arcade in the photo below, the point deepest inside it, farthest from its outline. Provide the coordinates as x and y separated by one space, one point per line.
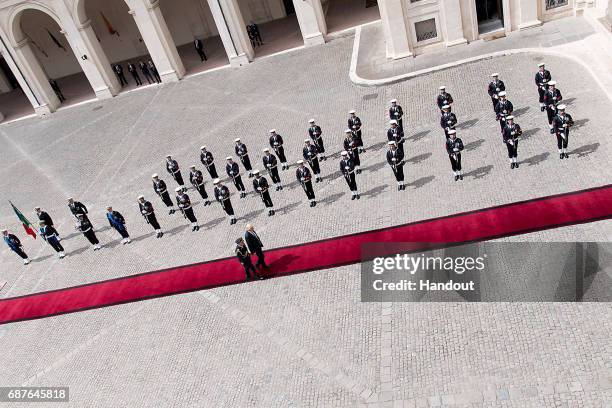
40 93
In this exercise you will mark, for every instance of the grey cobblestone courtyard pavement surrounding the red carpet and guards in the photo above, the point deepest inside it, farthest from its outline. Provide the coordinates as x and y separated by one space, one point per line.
303 340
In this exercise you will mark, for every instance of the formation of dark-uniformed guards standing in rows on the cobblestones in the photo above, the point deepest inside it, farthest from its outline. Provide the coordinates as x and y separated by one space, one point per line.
313 154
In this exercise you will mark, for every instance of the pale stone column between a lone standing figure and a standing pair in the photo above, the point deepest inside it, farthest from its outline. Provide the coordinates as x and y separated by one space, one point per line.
232 31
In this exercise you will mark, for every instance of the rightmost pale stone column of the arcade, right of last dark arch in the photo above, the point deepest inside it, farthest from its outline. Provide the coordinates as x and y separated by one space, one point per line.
397 34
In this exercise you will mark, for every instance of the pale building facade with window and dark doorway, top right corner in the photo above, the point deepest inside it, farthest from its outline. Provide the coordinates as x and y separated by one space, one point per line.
414 27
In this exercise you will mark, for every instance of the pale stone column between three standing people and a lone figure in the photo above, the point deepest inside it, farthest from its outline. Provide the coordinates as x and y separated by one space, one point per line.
157 38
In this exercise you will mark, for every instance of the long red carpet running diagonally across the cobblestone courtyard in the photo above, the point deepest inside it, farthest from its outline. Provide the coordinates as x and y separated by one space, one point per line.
512 219
